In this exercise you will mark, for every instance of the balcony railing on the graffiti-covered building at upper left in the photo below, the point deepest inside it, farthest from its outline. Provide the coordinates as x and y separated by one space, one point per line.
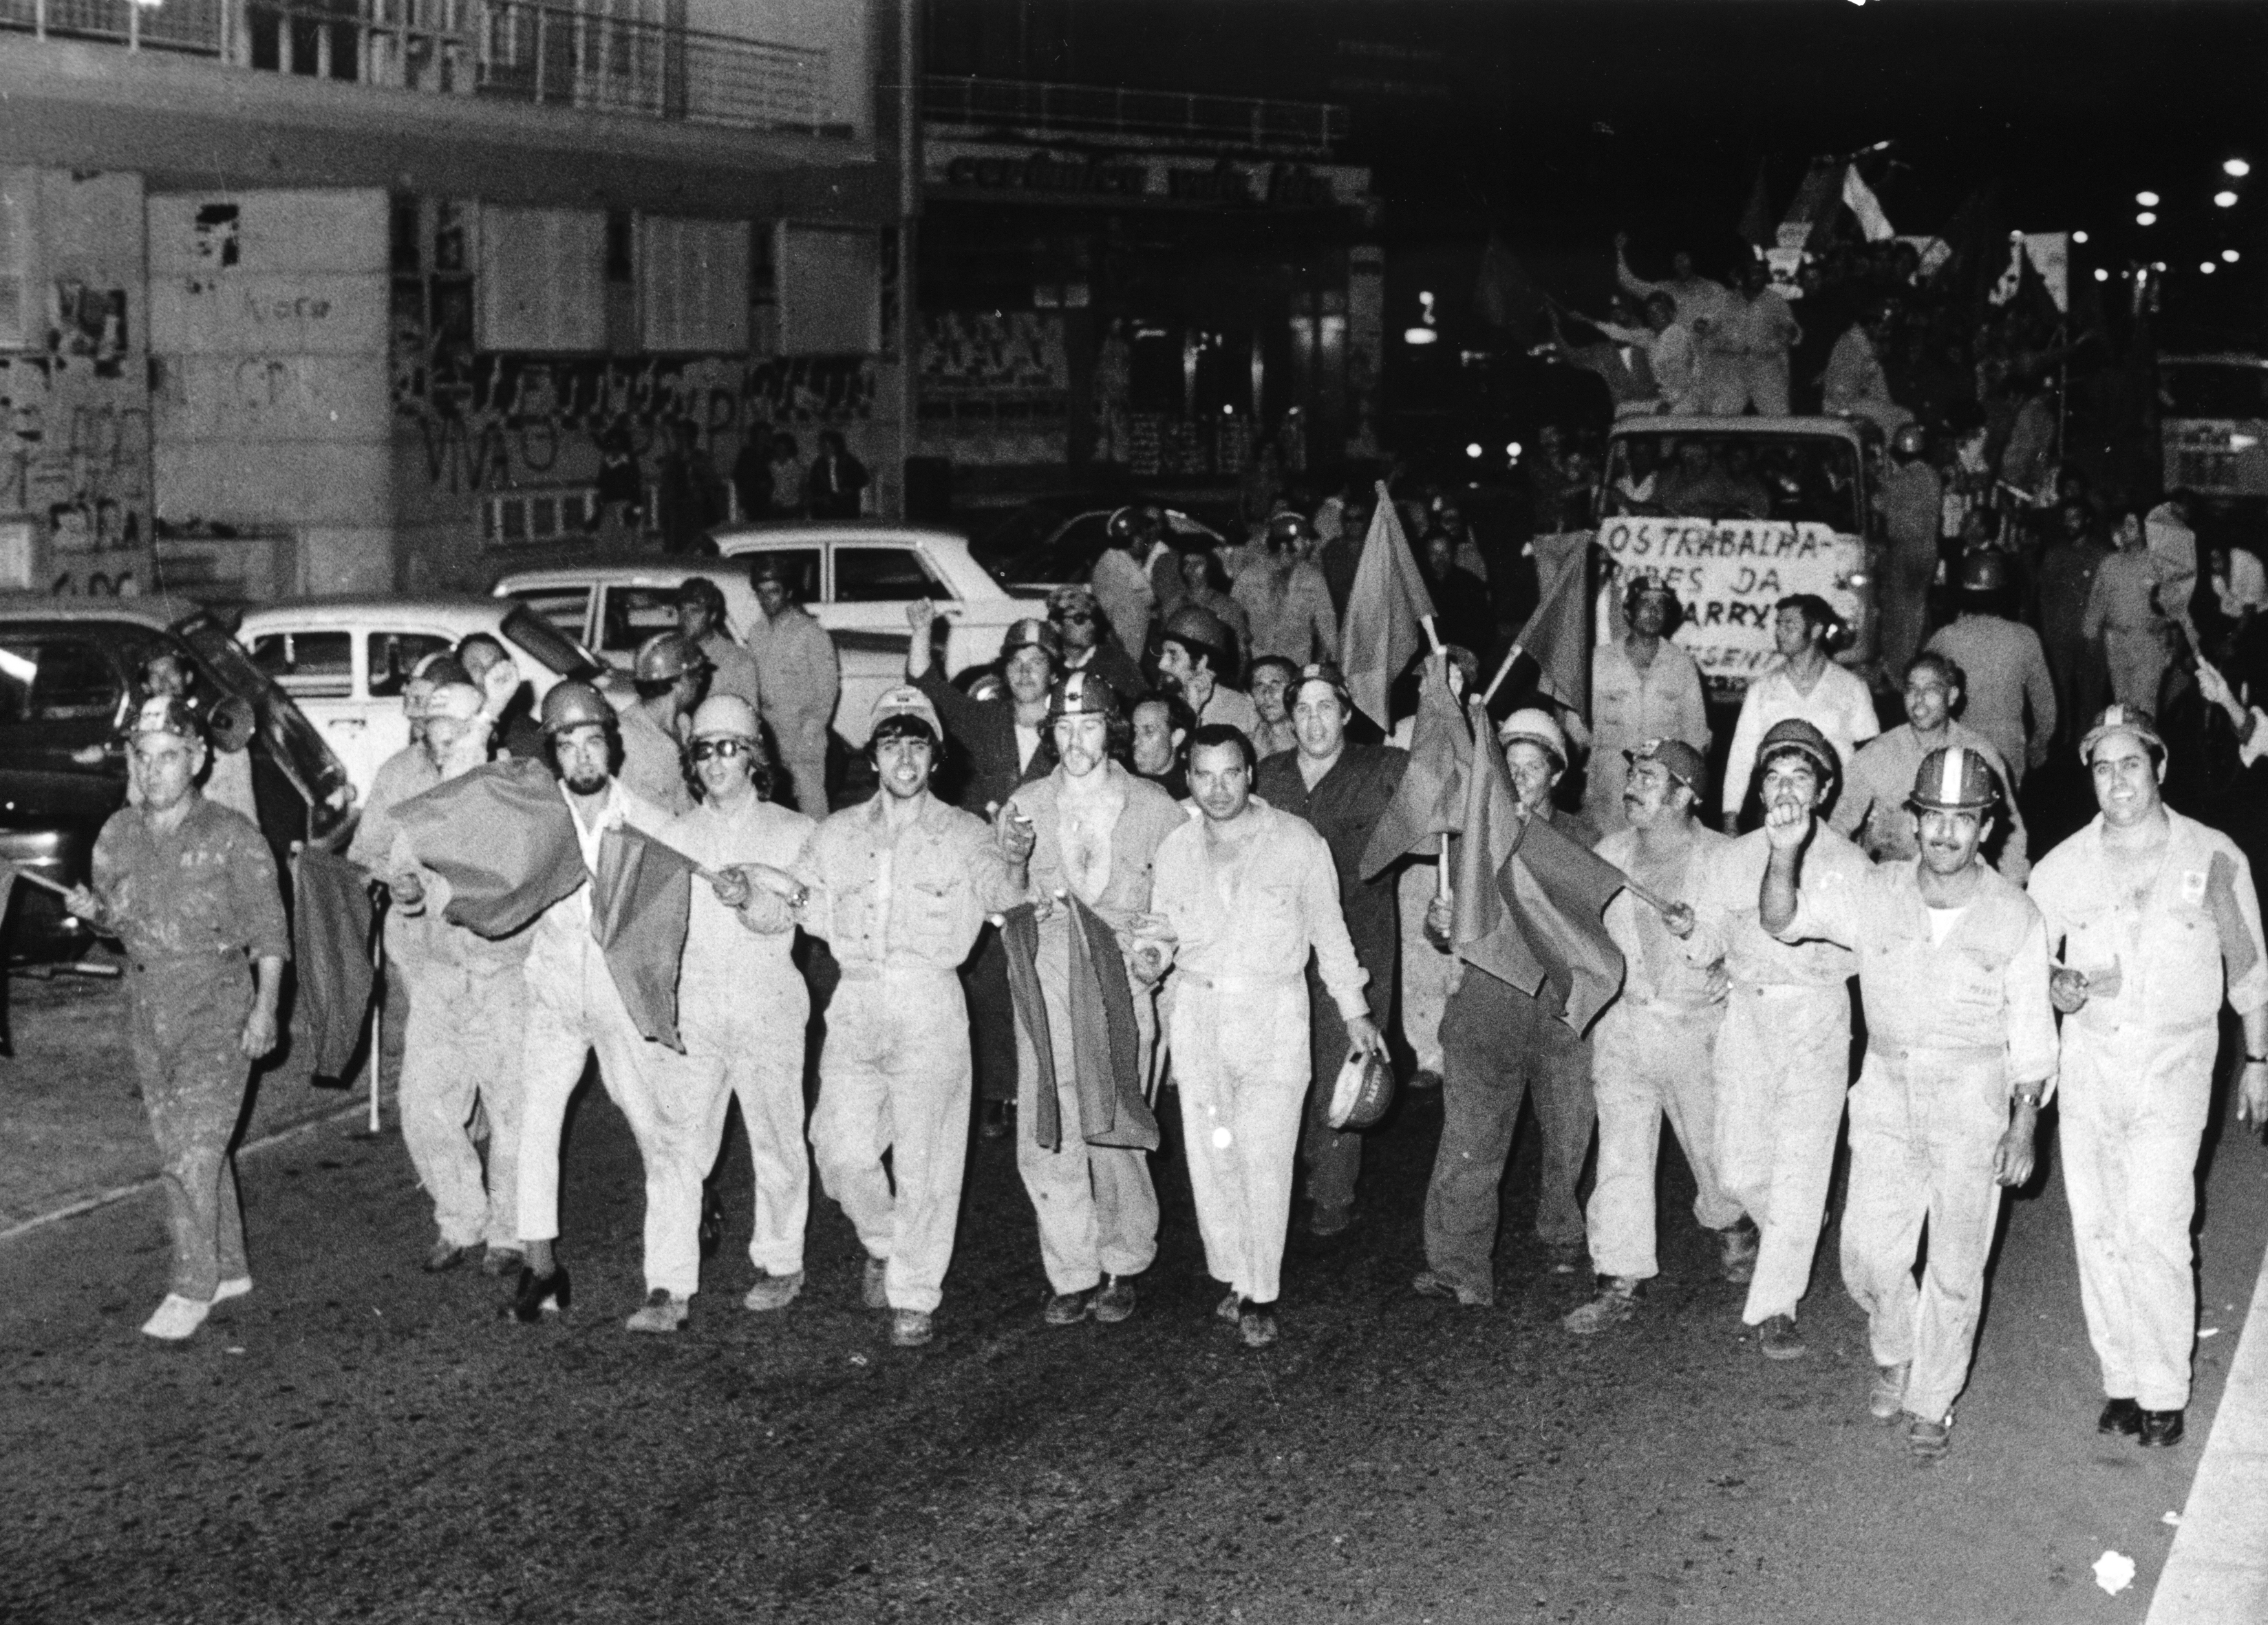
604 56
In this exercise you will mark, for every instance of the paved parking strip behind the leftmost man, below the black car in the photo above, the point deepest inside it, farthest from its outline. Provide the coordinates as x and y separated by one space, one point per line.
69 1125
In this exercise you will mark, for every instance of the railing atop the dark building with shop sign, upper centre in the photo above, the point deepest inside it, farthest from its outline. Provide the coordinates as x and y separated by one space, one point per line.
1310 128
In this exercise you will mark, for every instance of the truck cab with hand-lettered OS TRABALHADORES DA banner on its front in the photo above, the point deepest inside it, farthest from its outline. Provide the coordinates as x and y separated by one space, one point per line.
1738 513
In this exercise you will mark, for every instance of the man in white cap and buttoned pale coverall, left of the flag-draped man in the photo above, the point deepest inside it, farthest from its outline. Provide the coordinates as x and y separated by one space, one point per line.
899 887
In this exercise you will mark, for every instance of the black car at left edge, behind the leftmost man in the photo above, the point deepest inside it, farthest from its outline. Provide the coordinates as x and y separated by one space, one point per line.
69 672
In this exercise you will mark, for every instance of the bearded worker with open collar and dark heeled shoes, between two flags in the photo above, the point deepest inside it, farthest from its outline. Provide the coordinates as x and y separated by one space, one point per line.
575 1012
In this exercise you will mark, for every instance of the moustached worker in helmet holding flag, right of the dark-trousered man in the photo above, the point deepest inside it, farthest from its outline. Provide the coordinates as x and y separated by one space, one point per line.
1652 1046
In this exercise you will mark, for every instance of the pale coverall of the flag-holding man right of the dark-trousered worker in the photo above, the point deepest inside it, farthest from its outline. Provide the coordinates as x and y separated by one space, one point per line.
1650 1057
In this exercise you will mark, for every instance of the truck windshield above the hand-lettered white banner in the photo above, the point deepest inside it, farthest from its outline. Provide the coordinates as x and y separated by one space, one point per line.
1734 477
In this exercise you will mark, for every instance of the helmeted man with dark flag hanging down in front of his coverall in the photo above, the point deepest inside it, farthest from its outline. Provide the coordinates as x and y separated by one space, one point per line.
1097 831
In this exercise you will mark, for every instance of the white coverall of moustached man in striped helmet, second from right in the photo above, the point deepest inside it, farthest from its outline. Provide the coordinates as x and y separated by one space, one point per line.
1952 1030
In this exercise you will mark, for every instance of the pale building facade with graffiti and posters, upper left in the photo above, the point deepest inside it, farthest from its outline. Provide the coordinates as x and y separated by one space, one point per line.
364 296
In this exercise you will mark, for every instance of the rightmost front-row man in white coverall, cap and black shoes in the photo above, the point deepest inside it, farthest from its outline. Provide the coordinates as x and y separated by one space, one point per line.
2156 924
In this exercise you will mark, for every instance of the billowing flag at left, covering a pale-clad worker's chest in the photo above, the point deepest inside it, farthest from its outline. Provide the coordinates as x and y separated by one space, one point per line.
505 842
